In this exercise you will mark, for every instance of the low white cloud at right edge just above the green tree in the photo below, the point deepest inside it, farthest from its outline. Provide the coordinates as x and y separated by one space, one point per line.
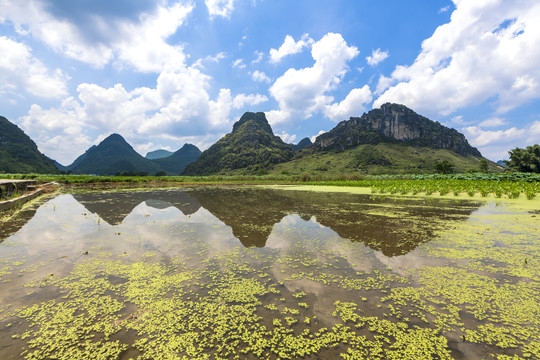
495 144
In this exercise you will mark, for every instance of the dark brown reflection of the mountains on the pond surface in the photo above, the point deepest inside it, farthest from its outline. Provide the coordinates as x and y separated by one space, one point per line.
394 227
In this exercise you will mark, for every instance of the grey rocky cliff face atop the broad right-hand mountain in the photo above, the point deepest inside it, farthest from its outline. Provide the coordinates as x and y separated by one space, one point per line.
393 123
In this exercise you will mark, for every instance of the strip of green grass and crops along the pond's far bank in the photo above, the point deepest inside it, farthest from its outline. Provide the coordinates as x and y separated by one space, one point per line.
499 185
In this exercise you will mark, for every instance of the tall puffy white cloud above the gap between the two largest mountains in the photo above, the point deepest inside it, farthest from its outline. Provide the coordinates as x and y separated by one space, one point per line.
301 93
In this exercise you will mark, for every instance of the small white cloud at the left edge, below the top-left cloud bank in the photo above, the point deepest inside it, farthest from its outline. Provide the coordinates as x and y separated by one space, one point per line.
19 69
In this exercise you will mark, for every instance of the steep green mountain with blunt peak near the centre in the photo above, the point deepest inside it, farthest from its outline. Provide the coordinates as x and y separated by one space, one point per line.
251 146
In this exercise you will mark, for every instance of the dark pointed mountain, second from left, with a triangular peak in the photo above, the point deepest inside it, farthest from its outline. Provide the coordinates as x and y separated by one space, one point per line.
112 155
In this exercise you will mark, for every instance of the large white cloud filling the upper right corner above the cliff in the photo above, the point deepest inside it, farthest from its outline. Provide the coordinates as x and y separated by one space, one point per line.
488 50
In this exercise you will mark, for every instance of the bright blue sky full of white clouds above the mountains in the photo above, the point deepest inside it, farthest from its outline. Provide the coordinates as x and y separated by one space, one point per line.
167 72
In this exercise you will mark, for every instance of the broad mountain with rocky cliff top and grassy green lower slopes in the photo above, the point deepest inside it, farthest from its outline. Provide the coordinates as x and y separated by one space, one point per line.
390 140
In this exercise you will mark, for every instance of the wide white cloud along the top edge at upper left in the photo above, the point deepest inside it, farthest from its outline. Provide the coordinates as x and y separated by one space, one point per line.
140 43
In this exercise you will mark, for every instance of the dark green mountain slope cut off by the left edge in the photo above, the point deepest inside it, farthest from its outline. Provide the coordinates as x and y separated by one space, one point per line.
19 154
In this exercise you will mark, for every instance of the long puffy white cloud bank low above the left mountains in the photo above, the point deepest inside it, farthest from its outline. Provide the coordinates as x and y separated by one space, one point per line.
177 110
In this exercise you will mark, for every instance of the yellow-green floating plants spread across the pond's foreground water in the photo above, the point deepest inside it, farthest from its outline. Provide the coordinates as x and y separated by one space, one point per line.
469 285
